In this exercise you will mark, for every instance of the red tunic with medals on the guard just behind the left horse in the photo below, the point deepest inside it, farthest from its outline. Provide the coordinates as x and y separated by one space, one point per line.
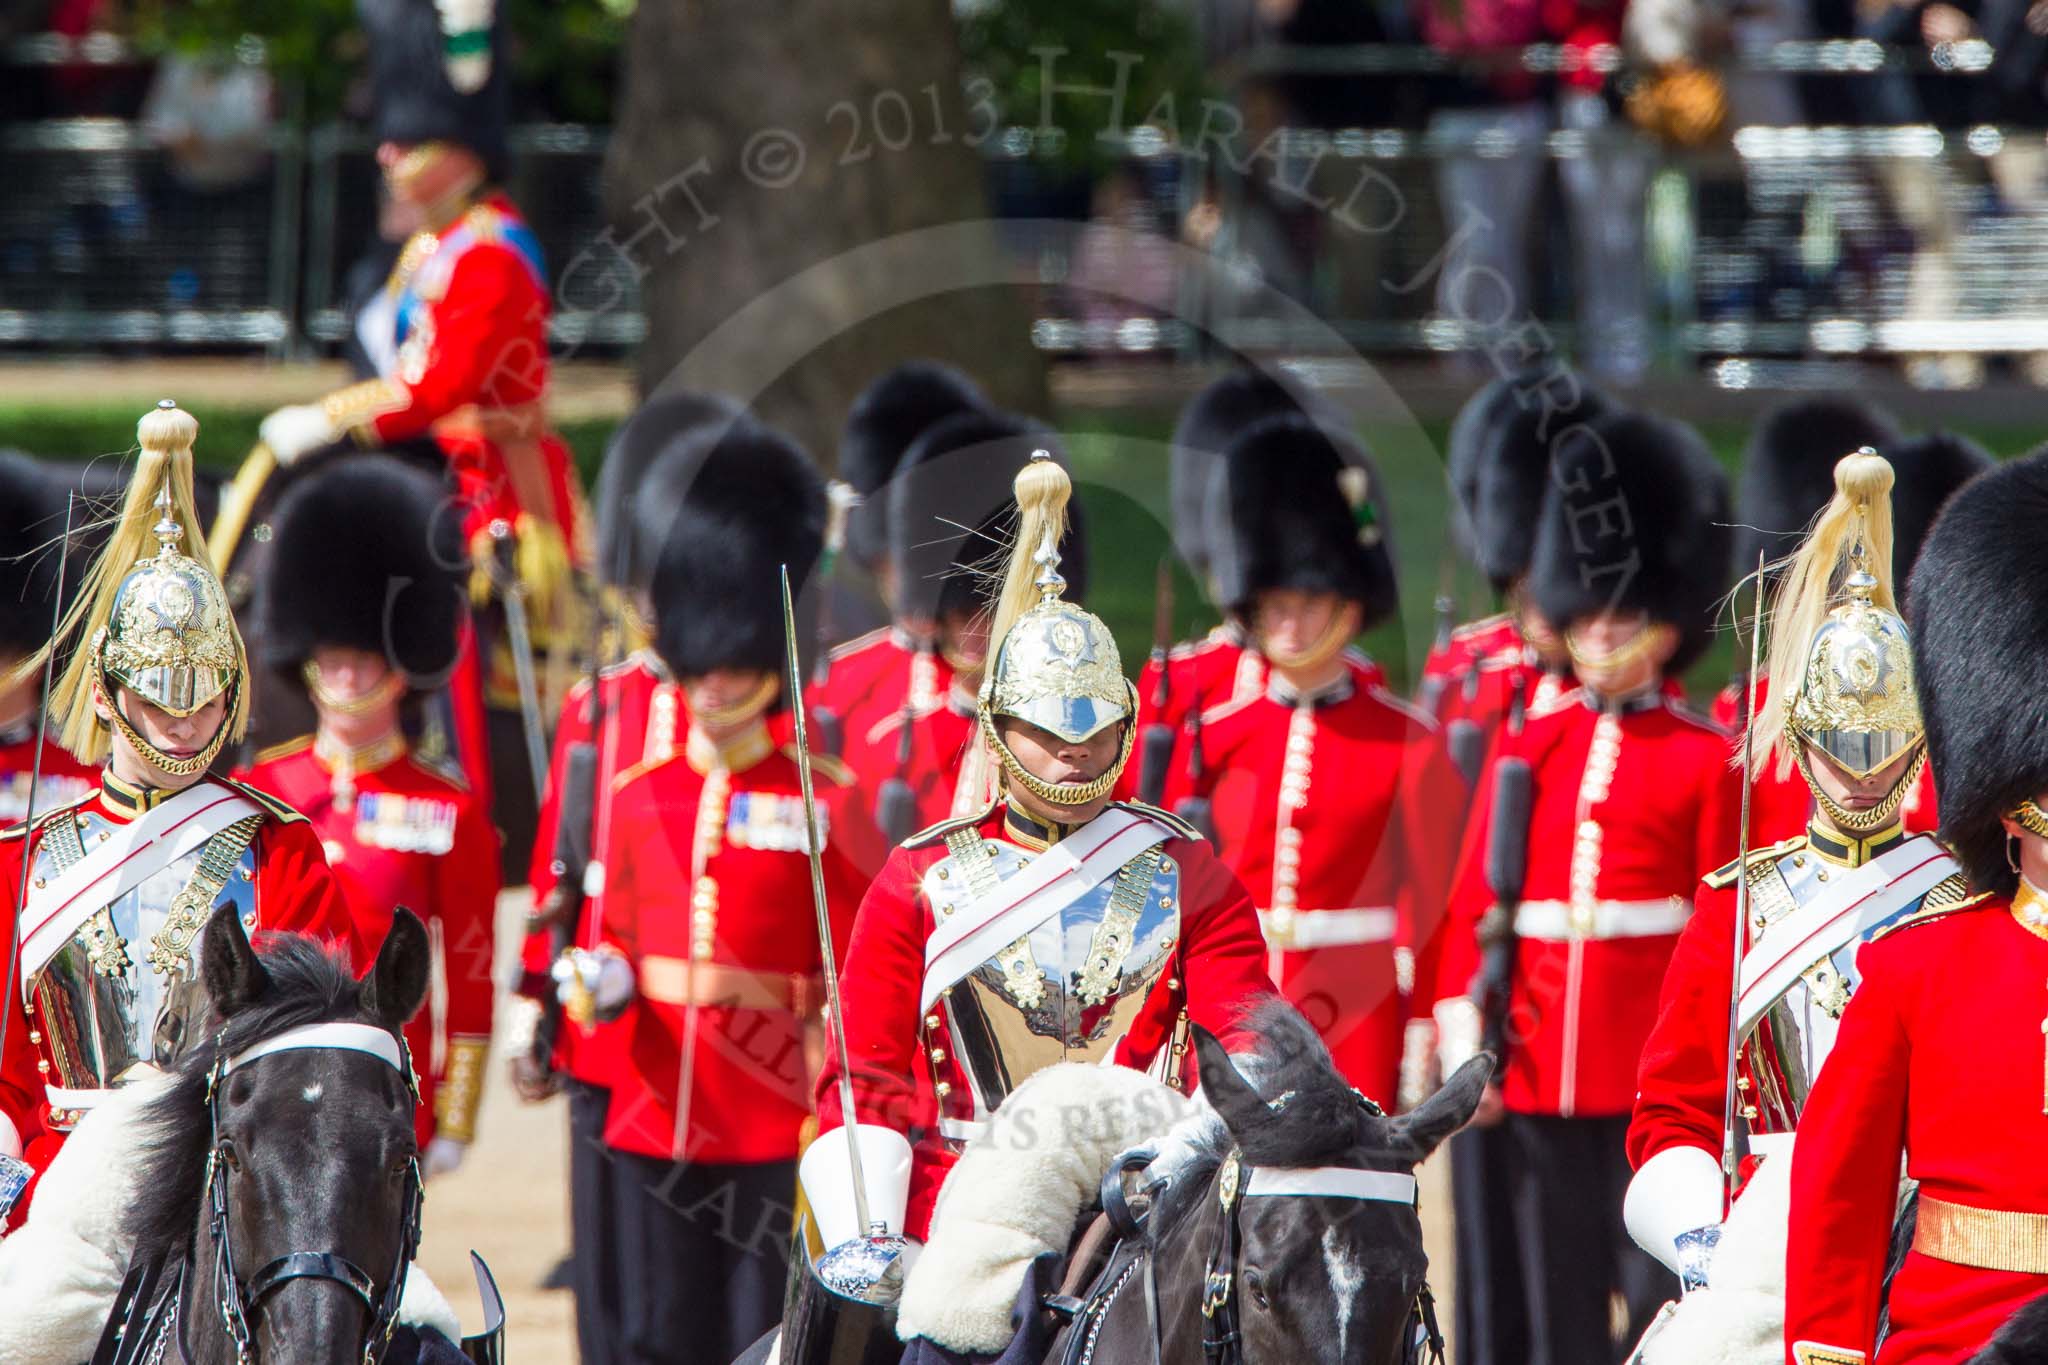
398 832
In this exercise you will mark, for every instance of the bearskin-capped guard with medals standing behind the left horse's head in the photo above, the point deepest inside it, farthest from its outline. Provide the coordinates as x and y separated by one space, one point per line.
361 609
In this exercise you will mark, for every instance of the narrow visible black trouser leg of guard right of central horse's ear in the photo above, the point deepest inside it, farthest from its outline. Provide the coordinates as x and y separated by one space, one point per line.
1492 1321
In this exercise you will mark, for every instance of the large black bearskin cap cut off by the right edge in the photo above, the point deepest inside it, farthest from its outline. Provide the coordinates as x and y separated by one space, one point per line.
1979 611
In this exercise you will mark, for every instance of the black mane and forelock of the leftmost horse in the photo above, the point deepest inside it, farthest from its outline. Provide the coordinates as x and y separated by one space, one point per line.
310 983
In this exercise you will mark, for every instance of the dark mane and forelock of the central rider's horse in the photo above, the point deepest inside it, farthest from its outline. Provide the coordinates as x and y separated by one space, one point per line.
1316 1116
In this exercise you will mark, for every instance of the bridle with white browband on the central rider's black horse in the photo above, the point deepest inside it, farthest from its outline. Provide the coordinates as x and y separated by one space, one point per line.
1236 1182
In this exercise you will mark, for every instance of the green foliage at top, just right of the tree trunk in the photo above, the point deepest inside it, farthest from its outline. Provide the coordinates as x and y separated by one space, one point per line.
1093 38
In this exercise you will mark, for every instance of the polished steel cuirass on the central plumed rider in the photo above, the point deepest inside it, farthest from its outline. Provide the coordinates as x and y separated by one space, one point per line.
1070 989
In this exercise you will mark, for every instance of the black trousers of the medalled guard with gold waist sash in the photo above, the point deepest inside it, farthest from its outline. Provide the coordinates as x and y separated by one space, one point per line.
703 1258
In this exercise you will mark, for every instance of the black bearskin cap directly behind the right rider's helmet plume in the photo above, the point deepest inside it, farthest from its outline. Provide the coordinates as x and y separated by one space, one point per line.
1789 472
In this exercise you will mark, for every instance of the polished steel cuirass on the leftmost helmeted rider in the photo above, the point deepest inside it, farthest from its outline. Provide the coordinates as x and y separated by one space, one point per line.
126 989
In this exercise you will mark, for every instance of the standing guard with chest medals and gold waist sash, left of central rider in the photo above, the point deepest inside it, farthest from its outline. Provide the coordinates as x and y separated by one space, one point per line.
708 942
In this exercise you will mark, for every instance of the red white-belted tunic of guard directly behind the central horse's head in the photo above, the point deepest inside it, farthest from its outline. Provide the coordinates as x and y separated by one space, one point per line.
1334 809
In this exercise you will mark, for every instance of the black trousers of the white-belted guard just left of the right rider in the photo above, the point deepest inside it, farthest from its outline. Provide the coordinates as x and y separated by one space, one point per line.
1570 1180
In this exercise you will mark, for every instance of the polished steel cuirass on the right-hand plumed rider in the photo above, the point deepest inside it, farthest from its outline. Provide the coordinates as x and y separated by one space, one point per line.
1789 1045
